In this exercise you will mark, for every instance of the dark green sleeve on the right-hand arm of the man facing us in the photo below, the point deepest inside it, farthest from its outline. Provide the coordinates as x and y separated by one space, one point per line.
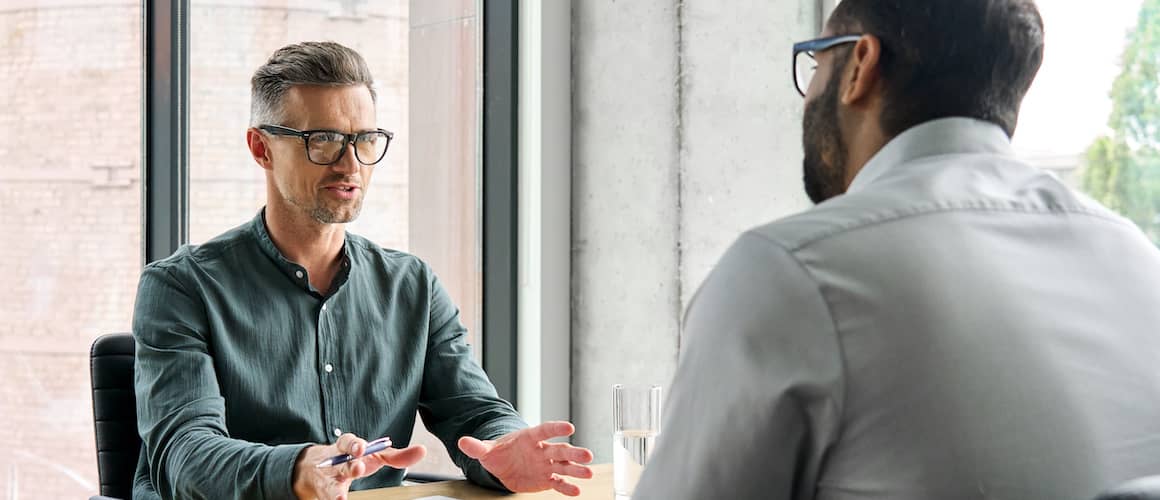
458 400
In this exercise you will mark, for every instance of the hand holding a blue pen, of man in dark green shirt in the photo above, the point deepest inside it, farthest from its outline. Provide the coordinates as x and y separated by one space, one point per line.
335 483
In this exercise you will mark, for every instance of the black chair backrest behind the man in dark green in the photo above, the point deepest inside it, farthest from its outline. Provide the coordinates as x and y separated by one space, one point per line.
115 414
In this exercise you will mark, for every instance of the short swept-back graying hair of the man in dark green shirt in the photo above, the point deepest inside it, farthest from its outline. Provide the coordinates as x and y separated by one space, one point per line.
307 63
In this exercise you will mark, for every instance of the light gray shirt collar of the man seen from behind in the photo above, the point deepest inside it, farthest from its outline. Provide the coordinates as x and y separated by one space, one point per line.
934 139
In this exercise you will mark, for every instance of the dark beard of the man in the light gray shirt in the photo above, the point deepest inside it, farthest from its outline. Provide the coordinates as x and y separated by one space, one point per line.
824 165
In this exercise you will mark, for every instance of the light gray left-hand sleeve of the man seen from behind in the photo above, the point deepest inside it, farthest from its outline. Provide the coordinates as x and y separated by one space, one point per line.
757 397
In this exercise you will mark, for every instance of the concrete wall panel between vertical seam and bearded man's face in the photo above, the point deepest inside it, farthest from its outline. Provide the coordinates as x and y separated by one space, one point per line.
742 125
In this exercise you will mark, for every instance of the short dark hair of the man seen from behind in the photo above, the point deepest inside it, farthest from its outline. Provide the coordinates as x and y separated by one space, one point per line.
942 59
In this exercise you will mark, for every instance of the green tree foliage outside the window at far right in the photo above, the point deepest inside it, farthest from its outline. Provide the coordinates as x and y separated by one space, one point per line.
1122 170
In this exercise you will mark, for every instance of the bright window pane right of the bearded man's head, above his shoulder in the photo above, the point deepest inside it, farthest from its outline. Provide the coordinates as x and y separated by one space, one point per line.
1099 76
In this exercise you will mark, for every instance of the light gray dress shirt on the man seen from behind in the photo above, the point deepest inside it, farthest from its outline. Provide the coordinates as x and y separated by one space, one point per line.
960 325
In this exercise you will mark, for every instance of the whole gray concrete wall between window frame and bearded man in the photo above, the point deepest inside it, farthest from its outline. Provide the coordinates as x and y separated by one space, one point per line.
686 133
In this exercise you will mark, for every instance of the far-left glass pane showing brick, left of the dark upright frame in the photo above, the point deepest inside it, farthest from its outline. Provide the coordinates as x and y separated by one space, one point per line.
70 219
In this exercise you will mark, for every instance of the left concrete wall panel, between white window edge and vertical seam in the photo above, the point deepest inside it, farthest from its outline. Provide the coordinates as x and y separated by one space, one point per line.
626 194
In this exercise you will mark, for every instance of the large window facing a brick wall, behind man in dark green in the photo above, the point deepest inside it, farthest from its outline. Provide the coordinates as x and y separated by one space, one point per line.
71 200
